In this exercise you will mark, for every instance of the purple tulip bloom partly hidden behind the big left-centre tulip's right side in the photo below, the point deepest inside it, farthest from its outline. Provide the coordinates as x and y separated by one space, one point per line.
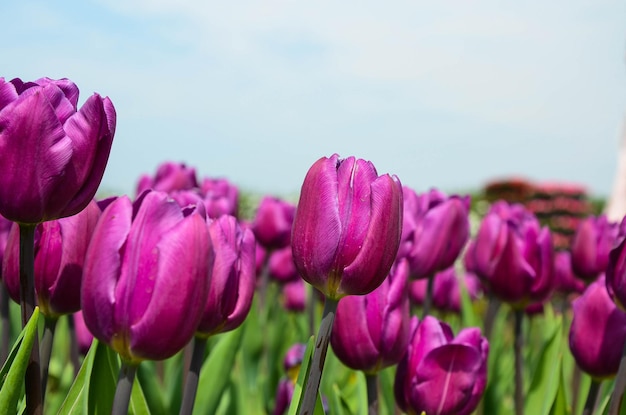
233 278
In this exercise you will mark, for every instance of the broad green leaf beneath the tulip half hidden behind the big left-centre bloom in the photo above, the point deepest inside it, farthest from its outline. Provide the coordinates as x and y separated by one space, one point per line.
216 371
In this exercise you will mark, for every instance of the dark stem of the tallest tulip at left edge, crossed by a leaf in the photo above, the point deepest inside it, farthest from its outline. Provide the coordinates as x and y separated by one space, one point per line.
27 302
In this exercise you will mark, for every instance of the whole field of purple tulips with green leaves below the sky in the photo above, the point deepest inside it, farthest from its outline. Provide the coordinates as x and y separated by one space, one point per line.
359 296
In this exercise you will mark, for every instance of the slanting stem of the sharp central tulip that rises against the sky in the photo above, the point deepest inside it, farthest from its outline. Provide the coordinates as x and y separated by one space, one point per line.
312 386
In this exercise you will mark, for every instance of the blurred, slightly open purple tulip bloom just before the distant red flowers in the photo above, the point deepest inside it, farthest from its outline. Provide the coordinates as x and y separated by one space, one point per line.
513 255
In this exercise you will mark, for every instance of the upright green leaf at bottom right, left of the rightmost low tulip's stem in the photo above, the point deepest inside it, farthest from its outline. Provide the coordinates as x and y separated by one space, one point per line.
546 379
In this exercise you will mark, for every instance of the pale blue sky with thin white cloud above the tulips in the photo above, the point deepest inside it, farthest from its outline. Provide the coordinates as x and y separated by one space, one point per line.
441 93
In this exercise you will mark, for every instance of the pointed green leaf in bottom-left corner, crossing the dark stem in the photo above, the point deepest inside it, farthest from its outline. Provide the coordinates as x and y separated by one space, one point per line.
13 376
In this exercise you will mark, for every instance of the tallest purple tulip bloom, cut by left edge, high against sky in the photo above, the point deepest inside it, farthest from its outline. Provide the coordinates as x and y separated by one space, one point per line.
53 156
